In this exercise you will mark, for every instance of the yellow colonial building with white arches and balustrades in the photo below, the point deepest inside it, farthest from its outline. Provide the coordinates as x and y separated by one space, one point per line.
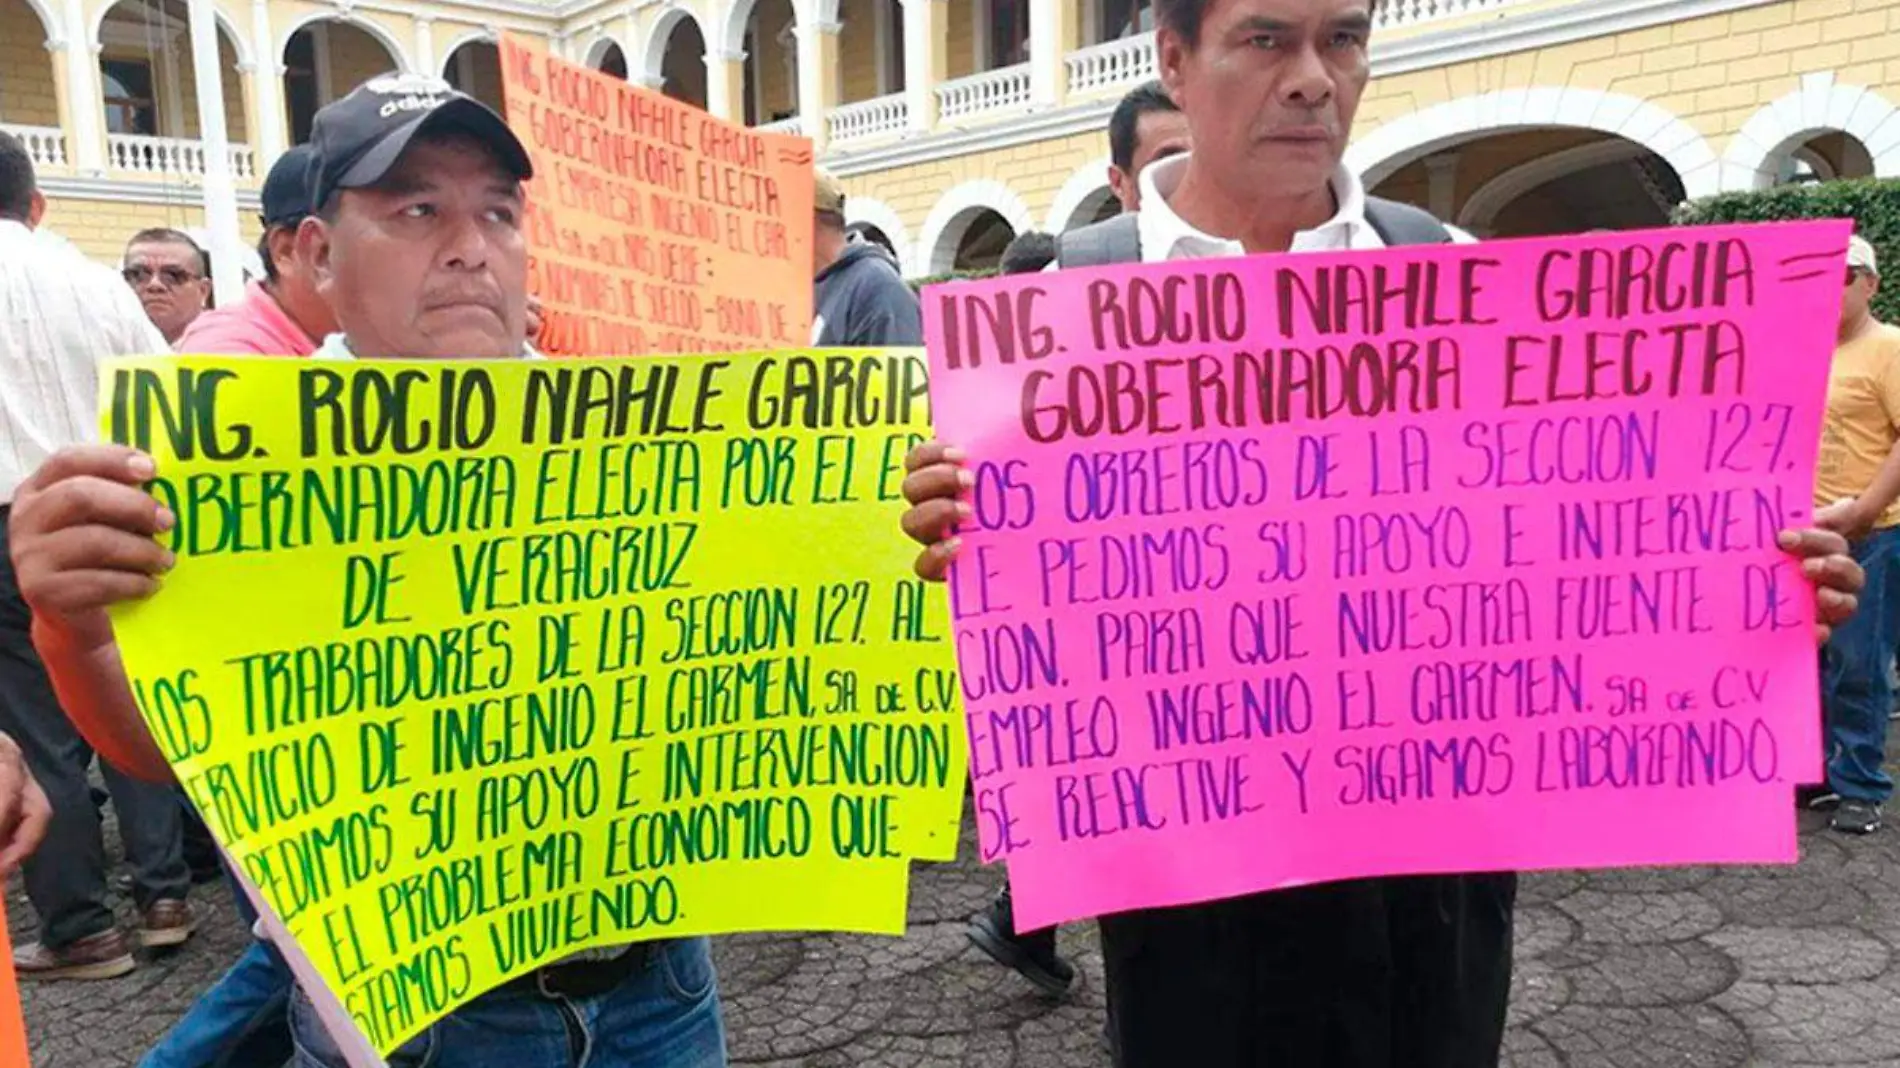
962 123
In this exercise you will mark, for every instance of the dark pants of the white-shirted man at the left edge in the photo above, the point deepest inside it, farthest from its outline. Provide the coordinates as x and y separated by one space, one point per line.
67 877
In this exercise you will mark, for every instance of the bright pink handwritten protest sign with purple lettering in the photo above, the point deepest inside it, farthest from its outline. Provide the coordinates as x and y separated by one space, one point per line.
1299 569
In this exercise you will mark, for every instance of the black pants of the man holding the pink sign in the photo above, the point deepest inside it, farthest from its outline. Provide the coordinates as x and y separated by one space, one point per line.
1369 974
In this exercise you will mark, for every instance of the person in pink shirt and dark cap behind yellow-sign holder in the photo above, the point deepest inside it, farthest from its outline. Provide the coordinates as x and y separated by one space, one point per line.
284 315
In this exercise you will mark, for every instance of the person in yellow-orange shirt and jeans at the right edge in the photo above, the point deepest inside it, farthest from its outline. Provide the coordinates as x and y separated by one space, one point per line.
1857 493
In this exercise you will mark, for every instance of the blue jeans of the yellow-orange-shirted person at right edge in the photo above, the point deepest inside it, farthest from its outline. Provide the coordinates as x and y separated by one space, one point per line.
1855 689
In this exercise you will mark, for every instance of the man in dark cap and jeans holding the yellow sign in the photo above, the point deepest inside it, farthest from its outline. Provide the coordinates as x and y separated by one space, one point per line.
417 244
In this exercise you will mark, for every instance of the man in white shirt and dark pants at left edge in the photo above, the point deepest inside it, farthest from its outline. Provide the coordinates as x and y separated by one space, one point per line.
60 318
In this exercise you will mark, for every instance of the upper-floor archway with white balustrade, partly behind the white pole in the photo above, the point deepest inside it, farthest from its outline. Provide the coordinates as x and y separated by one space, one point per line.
149 90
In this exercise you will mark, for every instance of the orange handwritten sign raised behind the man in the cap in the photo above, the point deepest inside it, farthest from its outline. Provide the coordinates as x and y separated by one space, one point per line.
655 227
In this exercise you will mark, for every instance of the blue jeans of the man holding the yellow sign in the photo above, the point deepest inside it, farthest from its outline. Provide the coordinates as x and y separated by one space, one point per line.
666 1016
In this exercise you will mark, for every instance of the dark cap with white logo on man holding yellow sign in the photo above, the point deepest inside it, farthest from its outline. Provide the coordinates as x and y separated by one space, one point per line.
360 138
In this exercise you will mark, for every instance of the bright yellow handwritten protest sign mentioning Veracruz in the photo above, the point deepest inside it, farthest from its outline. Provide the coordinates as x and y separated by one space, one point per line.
472 666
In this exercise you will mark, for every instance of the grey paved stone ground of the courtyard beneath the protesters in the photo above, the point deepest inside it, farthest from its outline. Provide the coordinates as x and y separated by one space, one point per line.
1624 970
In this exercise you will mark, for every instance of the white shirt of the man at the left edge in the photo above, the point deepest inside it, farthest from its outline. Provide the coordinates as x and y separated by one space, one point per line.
62 316
